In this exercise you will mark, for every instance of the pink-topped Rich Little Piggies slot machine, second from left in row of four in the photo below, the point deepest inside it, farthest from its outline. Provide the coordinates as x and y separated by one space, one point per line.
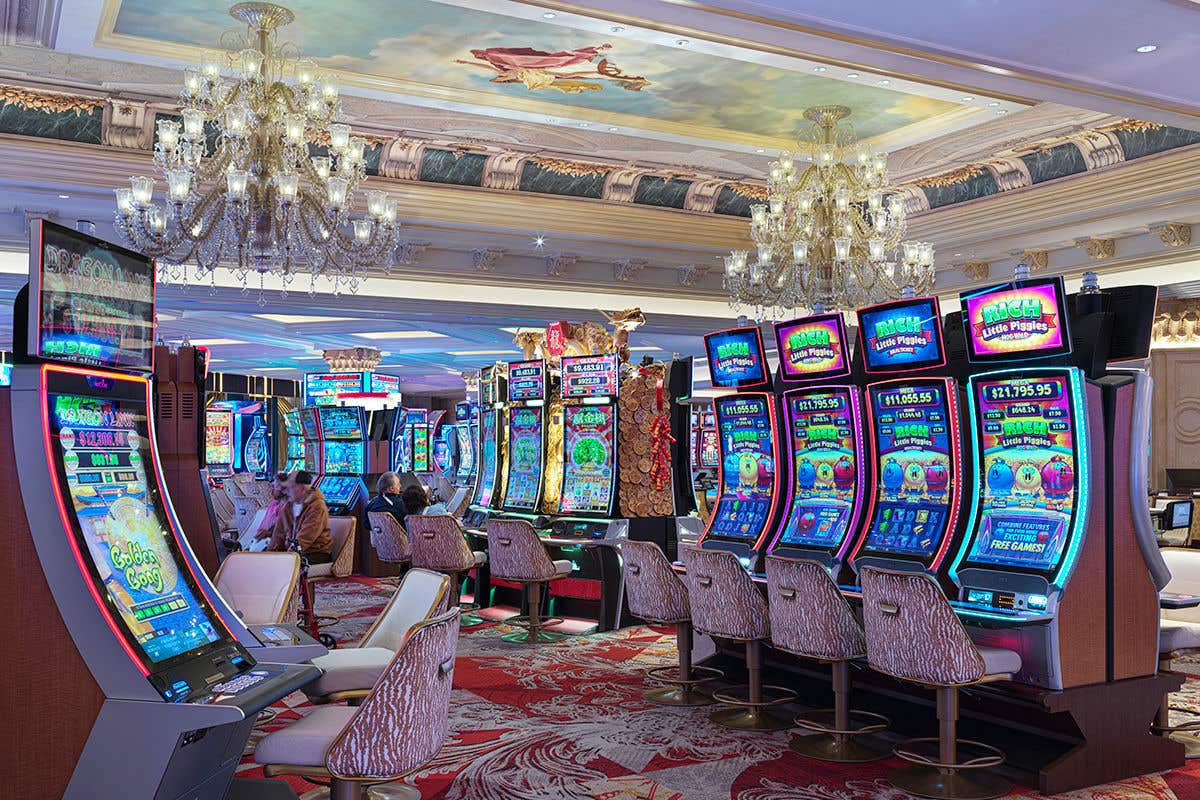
830 460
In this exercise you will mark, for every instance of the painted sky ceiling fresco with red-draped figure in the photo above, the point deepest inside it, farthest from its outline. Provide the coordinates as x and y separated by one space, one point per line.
494 59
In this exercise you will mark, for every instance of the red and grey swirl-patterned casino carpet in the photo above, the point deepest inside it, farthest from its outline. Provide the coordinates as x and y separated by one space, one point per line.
566 721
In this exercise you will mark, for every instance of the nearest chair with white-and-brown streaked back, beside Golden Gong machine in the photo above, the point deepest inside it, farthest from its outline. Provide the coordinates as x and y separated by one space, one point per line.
397 731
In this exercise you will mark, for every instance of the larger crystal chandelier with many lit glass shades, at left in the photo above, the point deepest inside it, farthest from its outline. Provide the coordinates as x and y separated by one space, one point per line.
251 182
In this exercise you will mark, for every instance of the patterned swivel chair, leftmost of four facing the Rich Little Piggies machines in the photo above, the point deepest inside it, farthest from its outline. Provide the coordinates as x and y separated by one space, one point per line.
658 596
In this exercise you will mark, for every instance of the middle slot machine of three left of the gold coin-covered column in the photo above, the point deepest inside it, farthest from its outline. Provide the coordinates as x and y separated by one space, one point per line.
527 438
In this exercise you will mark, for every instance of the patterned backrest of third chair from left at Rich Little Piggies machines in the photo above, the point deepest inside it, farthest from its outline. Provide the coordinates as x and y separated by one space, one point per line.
809 616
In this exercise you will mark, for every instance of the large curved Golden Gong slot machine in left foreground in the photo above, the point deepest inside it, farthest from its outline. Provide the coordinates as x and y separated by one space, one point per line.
163 694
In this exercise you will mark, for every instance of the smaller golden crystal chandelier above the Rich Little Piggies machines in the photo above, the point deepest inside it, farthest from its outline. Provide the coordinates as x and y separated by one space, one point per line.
831 237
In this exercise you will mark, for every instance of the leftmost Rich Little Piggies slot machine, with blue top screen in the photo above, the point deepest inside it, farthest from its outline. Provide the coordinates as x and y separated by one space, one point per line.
749 489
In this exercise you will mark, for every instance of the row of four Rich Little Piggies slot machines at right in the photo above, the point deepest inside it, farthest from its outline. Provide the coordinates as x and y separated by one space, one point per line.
986 450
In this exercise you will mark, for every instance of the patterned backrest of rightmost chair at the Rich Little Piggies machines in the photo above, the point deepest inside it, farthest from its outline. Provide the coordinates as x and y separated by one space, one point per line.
913 631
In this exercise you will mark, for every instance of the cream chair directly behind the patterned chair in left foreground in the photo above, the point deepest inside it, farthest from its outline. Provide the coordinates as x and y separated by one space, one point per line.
351 673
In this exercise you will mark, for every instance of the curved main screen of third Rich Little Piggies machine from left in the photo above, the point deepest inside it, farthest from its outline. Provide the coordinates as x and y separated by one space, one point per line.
916 468
